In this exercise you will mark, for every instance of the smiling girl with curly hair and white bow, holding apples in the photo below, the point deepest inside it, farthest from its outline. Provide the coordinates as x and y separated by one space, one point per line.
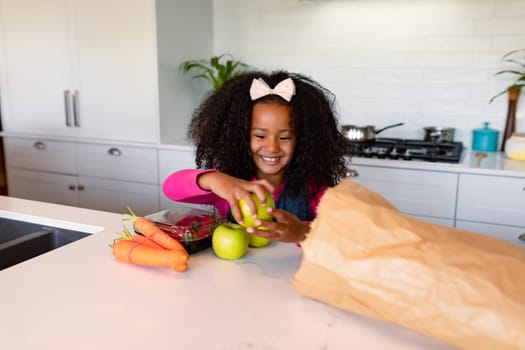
264 133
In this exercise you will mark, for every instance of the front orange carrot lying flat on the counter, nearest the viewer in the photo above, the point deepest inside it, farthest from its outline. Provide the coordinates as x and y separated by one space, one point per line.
130 252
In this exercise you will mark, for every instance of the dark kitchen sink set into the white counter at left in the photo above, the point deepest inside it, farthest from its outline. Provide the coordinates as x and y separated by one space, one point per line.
20 240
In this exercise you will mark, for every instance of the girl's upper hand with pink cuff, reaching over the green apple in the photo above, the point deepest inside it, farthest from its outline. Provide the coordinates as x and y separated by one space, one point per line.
233 189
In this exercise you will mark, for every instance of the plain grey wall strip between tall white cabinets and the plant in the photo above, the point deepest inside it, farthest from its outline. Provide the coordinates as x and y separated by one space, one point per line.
189 24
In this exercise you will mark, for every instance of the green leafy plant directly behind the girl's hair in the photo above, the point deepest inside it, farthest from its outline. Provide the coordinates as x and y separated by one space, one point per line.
217 70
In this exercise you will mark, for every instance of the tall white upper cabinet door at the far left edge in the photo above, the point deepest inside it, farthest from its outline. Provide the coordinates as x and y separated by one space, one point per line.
36 65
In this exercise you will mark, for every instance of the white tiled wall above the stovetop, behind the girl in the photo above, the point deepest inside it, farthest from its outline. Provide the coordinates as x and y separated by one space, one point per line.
429 62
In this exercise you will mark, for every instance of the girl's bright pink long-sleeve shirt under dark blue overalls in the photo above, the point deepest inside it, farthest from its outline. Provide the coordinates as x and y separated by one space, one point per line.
182 186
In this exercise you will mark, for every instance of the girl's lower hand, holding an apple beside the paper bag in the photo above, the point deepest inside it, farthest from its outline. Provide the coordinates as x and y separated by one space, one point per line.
287 228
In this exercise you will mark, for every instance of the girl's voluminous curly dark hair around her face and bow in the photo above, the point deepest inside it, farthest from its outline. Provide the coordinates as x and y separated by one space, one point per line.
220 128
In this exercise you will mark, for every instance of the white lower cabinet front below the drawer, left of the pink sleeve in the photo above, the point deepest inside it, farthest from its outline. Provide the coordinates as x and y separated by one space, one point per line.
115 196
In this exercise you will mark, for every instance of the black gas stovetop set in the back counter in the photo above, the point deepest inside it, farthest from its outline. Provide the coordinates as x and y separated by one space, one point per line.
402 149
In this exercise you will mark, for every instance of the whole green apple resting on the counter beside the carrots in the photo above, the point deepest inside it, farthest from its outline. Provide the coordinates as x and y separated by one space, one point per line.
230 241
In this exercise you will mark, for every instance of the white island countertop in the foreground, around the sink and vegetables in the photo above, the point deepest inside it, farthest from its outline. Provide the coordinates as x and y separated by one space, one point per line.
80 297
